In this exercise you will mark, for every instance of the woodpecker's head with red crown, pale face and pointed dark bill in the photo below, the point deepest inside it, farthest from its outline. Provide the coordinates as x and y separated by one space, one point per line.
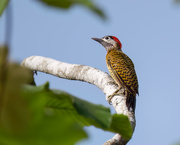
109 42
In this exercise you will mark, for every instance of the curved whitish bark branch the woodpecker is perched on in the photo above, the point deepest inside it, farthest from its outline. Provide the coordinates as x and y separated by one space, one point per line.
87 74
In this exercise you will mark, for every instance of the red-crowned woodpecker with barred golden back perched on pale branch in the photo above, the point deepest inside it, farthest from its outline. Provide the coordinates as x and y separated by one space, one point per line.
121 69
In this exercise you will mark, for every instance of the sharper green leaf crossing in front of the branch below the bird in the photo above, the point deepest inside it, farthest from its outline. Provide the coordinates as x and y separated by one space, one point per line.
90 114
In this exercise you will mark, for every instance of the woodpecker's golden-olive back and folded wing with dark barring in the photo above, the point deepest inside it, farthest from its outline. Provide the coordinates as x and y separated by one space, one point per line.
122 70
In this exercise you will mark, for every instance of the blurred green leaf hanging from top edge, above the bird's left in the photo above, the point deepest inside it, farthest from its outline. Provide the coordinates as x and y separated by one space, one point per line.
66 4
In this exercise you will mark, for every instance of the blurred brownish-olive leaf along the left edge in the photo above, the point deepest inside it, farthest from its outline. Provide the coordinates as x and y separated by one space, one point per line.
12 76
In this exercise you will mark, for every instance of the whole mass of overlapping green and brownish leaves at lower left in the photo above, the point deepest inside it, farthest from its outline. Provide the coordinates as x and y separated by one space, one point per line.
40 115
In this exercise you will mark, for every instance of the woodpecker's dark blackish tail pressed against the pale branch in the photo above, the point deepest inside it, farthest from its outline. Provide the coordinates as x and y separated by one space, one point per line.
131 101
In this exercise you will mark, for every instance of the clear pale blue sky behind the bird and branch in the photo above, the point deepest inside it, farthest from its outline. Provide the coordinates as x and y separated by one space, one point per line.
150 35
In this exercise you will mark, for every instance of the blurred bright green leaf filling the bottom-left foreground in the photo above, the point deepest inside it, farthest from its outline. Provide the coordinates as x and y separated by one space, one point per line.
45 126
